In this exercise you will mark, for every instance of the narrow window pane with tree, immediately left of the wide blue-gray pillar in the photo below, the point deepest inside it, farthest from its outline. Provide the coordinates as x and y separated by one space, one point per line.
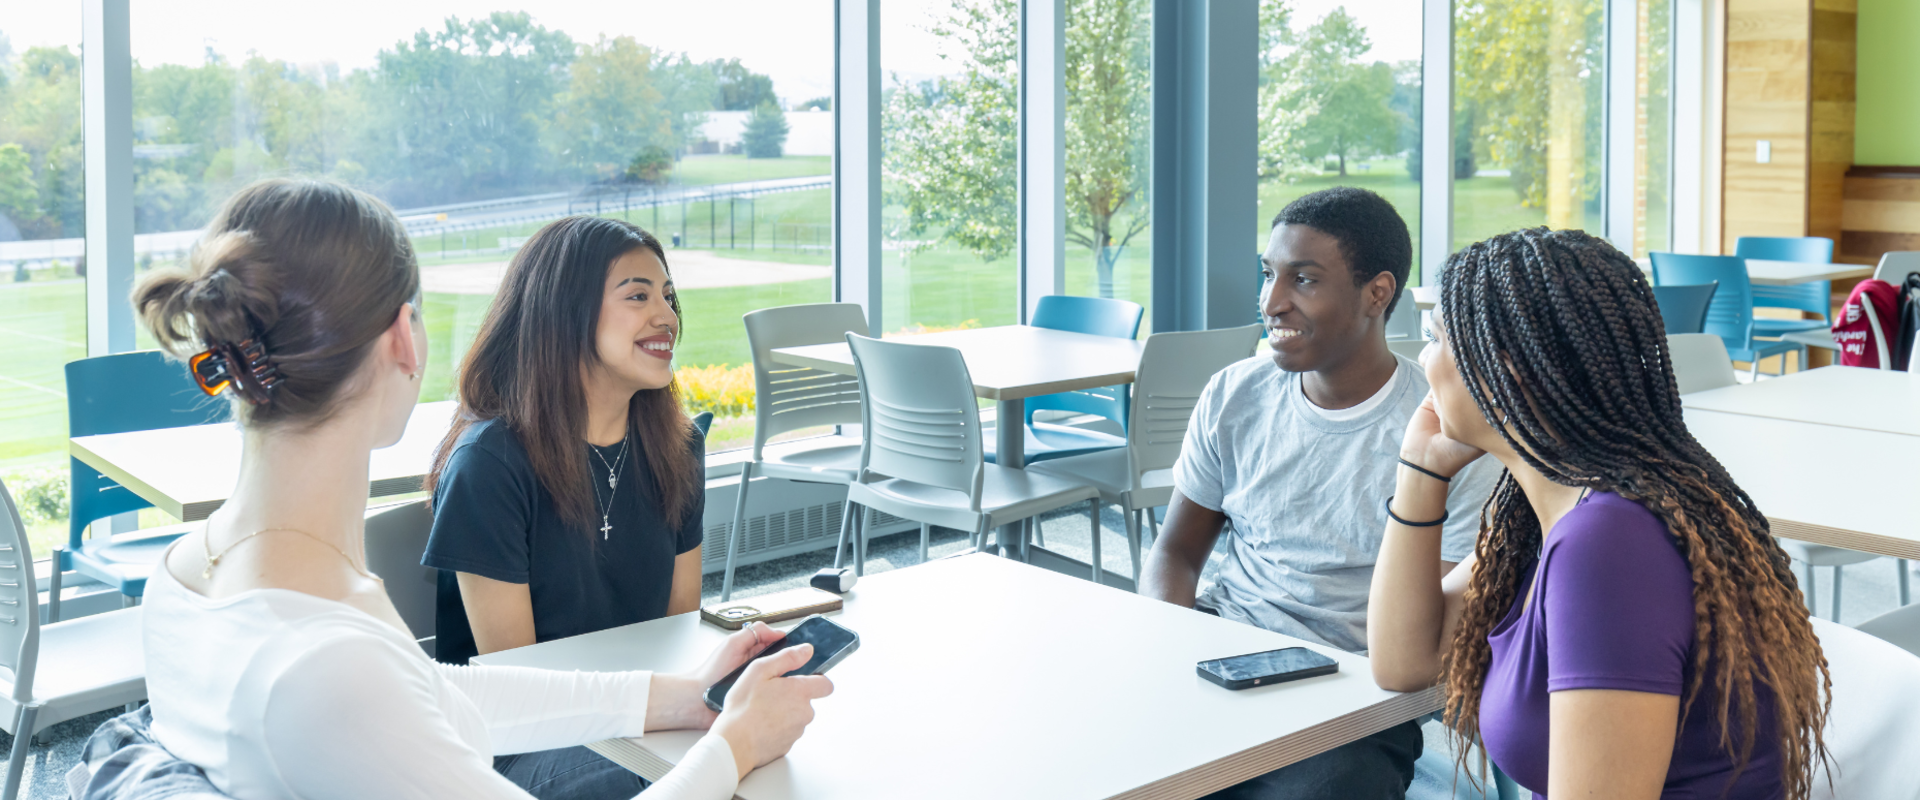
1109 151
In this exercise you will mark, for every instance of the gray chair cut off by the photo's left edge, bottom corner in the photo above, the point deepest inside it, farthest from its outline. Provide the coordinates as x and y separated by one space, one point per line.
62 671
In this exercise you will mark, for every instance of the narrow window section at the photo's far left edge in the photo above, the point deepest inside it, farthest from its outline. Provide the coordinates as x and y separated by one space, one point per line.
43 256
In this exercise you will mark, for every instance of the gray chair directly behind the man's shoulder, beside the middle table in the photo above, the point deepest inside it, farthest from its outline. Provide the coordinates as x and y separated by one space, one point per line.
1174 369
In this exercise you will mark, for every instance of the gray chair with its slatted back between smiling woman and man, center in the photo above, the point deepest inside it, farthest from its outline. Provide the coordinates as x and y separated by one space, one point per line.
921 452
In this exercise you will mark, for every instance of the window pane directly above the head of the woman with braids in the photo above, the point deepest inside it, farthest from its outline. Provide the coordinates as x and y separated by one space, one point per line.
1529 87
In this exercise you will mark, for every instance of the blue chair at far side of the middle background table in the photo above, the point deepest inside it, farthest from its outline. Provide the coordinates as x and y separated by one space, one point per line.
1084 316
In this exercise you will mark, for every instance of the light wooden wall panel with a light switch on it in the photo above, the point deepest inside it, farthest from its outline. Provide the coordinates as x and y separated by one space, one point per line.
1769 70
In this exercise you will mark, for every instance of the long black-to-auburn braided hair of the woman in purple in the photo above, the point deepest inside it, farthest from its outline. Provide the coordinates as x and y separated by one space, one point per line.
1558 335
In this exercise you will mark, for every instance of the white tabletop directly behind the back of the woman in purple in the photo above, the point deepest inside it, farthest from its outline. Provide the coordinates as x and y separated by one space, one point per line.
1823 484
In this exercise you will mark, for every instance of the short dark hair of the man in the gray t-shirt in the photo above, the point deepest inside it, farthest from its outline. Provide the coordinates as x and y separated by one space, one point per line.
1370 231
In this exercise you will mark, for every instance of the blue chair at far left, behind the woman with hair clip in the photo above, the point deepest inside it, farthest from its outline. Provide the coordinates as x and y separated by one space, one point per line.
118 394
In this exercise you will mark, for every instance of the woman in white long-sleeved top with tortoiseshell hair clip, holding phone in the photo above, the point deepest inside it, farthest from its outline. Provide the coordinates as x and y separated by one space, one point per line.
274 659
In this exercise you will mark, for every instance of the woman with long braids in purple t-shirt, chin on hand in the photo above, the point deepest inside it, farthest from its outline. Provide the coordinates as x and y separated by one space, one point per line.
1627 626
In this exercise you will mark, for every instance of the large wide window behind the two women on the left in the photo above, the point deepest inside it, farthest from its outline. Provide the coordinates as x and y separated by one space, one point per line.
483 124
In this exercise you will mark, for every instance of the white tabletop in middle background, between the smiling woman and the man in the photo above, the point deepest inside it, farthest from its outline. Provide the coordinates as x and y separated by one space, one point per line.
1009 364
